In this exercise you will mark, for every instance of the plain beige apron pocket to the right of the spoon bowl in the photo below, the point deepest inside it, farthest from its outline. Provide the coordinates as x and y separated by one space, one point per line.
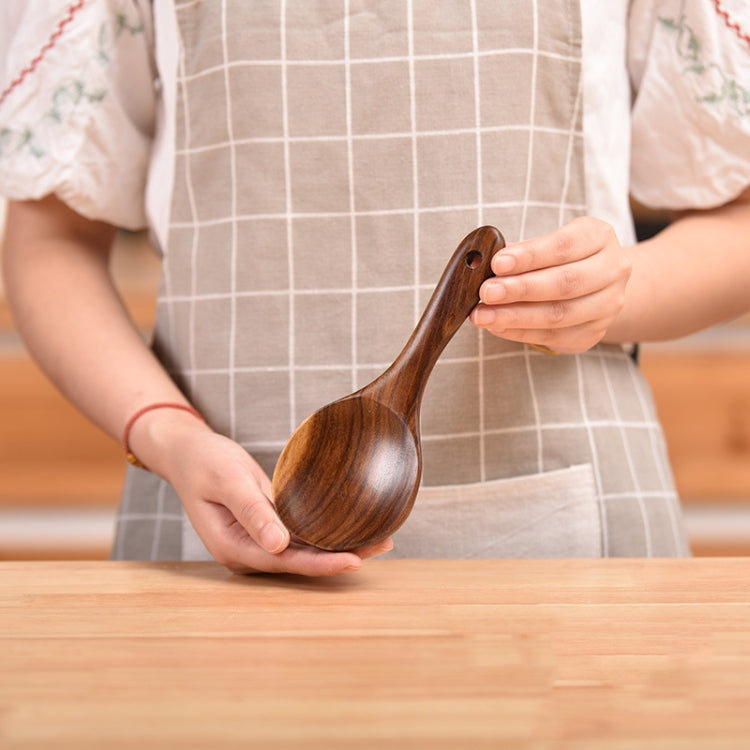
555 514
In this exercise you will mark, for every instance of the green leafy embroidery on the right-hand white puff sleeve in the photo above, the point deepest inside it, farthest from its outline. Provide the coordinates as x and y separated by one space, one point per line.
720 87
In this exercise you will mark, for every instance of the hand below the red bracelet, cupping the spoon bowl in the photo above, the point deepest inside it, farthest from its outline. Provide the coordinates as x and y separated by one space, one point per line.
226 496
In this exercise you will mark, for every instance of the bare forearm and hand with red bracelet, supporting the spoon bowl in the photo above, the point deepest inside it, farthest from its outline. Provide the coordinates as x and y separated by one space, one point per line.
84 340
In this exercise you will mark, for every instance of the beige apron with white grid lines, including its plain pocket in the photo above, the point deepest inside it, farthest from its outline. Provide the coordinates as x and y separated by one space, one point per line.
330 156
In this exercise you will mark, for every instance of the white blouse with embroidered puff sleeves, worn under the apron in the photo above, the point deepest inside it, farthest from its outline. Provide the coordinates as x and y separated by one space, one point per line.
88 98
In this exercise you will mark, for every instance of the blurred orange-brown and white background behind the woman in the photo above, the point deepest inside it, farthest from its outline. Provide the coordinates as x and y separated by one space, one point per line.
60 476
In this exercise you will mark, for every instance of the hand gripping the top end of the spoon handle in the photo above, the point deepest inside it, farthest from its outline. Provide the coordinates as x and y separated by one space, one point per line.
561 290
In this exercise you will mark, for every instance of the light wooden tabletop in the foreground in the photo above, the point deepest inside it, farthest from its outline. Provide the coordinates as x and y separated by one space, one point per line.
432 654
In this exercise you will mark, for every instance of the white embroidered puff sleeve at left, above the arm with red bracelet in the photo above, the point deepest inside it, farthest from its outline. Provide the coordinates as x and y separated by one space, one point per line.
78 105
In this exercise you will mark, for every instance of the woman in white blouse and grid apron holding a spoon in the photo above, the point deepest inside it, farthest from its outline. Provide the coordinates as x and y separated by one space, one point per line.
306 170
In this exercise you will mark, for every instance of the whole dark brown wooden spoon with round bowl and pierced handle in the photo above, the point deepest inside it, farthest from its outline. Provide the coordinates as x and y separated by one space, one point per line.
349 474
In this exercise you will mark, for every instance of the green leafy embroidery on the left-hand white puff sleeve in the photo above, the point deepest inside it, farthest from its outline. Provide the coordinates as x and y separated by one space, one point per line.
70 96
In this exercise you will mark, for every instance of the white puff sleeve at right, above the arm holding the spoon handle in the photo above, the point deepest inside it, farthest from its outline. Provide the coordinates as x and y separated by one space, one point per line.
689 63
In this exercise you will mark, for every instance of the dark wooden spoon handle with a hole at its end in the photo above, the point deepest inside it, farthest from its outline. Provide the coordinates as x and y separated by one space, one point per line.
455 296
